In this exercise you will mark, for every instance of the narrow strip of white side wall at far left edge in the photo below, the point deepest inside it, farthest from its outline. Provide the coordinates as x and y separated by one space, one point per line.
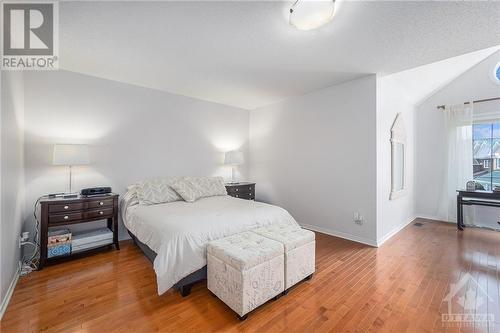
12 177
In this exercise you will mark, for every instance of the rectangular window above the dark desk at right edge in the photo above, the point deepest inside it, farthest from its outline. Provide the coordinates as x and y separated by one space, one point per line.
486 155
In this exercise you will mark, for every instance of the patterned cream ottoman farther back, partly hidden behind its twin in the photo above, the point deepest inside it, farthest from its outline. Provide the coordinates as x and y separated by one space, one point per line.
299 245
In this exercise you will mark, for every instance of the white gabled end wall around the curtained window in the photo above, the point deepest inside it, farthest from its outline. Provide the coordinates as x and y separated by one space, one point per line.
474 84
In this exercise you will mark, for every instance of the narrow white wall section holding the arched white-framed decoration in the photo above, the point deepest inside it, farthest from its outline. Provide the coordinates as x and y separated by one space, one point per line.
392 215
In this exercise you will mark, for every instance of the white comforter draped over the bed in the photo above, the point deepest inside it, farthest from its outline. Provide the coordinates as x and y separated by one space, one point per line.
179 231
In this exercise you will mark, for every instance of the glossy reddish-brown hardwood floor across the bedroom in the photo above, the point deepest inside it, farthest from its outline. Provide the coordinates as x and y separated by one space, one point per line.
399 287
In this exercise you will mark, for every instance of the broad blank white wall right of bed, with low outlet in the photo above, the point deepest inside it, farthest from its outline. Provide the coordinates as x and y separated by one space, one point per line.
314 155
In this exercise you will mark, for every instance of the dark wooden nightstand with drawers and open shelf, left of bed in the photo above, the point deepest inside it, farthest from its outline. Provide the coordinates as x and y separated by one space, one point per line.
60 212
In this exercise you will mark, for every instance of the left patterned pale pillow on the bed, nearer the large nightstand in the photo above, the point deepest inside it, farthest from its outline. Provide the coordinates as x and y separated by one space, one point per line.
155 191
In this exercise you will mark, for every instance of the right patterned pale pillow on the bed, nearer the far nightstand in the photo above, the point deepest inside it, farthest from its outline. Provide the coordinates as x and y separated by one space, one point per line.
194 188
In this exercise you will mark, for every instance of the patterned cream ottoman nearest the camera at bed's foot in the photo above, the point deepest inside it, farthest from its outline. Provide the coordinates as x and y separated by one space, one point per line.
245 270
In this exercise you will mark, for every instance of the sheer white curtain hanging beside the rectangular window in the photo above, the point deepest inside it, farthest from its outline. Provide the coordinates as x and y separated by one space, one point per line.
459 170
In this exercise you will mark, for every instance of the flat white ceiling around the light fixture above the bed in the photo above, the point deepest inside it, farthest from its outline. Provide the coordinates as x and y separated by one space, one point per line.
244 53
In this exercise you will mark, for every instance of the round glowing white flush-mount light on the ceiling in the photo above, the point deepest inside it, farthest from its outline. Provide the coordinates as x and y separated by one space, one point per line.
311 14
